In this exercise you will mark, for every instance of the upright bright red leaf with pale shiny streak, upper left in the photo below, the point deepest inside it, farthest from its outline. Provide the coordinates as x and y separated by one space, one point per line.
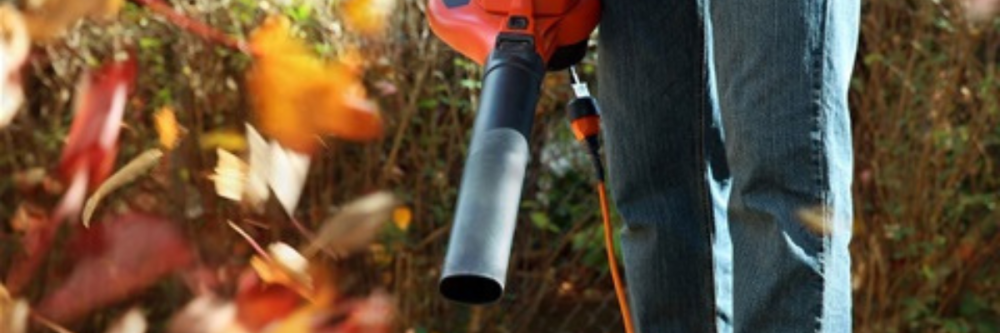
93 138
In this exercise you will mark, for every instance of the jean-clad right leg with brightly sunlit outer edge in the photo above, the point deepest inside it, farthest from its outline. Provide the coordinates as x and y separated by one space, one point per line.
783 70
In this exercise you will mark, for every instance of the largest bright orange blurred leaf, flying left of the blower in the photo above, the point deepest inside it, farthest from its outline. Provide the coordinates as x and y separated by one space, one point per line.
298 97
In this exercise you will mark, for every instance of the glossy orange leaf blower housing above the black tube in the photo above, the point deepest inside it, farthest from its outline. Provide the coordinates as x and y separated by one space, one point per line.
560 28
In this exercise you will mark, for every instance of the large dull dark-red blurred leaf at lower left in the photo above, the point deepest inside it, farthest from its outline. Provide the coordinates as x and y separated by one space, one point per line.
123 256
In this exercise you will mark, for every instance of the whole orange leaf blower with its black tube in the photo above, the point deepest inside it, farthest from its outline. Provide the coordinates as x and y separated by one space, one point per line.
516 41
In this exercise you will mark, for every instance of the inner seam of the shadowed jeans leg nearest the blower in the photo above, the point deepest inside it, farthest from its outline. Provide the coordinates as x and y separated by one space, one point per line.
703 189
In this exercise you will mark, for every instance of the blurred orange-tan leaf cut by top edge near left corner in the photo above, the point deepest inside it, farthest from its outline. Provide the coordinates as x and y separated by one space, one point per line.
49 19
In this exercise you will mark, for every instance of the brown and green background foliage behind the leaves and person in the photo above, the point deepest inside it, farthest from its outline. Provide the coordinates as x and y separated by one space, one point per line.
927 135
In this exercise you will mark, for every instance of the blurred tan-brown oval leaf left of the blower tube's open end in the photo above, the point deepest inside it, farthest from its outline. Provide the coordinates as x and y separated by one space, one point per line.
354 227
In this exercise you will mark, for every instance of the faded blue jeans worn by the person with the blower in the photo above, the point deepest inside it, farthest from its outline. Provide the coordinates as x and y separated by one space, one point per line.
729 156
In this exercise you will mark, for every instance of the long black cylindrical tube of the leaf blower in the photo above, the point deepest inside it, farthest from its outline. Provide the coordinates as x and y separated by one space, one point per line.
475 267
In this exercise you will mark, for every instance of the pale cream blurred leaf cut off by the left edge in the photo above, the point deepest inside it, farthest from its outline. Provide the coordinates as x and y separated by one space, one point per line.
14 45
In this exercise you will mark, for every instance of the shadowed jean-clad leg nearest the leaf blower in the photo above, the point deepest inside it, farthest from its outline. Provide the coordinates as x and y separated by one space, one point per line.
666 163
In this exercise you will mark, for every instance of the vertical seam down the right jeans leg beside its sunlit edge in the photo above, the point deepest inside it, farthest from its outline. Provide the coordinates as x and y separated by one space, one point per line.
819 160
